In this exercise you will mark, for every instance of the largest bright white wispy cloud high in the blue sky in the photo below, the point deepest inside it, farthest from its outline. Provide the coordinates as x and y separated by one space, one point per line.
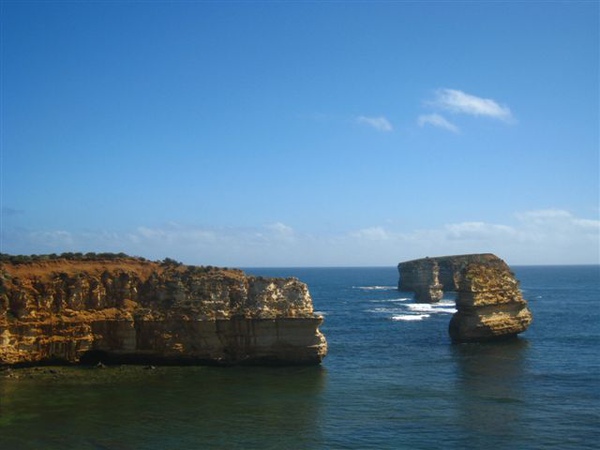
460 102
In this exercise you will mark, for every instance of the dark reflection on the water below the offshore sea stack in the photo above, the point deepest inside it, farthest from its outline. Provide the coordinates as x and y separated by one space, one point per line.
490 389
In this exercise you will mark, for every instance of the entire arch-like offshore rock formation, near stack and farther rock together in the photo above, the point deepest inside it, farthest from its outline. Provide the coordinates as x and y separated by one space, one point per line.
489 303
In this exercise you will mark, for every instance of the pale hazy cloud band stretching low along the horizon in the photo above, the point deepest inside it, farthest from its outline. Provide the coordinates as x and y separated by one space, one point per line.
550 236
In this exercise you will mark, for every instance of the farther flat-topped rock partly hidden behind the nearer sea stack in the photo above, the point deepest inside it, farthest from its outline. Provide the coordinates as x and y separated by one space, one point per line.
429 278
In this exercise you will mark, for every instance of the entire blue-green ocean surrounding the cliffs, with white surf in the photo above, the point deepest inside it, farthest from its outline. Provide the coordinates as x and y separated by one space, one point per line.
392 380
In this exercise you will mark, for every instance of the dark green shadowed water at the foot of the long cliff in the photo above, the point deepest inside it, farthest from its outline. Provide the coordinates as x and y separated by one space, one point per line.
167 407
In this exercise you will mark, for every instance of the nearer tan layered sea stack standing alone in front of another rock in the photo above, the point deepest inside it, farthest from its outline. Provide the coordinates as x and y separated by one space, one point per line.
489 304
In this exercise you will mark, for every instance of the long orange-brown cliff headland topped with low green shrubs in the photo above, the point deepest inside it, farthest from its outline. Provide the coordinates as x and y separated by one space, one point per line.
129 310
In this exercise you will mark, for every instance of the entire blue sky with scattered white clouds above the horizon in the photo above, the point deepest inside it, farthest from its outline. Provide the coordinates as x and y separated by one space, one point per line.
301 133
